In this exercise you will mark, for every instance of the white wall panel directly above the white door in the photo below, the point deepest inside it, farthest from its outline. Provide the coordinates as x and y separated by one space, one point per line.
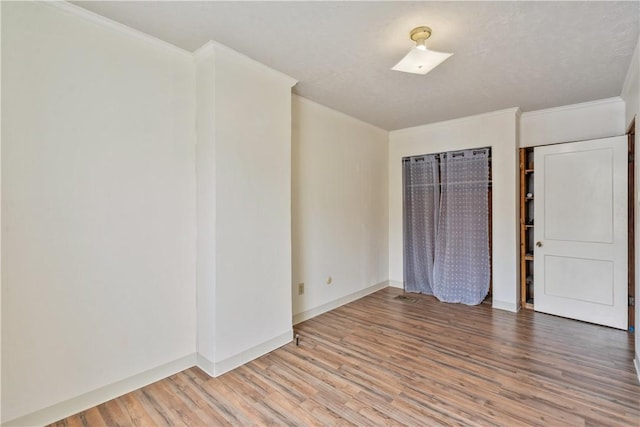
577 122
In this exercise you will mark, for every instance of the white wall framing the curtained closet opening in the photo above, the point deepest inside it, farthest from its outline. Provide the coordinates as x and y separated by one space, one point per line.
497 130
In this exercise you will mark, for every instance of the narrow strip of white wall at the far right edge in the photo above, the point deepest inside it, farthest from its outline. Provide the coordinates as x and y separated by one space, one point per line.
631 96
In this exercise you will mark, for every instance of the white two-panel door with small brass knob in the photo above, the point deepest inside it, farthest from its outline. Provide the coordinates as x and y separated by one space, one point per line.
580 230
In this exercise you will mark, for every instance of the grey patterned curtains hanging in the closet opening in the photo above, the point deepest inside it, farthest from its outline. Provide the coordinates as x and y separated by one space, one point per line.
446 226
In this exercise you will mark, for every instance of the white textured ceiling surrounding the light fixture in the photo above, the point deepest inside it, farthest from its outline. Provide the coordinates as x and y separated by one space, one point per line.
529 54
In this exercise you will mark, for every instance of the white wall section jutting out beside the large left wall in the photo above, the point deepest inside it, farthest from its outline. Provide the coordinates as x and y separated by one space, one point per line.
250 178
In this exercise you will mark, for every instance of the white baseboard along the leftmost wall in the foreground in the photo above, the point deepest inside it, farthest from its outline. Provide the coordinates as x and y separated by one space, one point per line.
93 398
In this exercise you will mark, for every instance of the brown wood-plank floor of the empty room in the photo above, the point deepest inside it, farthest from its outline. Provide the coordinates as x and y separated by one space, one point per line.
387 361
